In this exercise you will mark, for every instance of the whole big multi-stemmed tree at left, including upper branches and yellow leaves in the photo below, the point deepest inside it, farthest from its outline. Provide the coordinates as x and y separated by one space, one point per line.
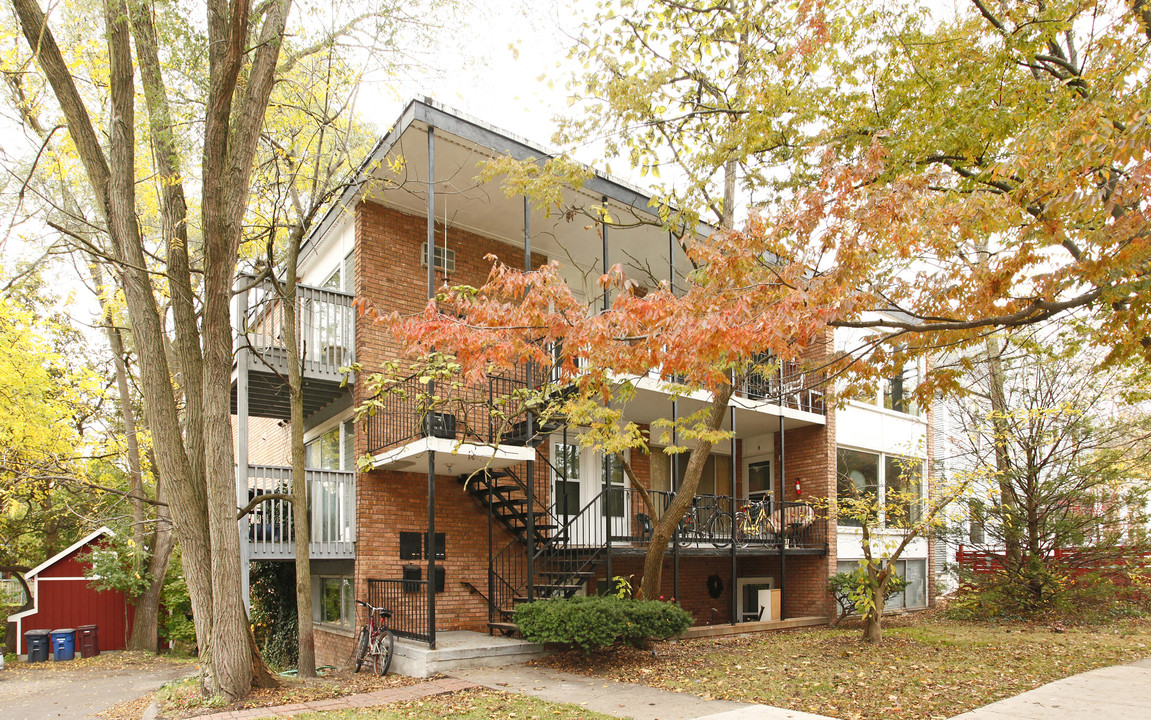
207 83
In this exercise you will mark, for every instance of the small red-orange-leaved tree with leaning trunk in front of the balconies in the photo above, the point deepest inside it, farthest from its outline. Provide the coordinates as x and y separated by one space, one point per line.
702 339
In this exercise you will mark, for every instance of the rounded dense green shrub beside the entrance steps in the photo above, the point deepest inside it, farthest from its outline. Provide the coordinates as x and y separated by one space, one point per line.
594 623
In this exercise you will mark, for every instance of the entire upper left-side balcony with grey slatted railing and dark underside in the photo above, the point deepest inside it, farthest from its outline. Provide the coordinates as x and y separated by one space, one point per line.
326 340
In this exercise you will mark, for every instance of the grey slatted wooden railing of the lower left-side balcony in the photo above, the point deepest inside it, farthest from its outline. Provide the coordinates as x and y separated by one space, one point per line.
332 501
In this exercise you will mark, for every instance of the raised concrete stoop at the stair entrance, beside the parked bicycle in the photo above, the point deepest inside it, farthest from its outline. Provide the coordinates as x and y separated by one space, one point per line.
461 649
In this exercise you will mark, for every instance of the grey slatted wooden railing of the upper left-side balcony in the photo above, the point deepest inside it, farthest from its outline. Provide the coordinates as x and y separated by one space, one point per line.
325 321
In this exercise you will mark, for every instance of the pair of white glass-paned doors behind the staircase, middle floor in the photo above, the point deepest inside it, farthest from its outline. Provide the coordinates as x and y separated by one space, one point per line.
583 481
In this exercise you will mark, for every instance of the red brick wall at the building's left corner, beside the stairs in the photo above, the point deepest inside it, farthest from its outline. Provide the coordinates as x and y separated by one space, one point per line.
388 272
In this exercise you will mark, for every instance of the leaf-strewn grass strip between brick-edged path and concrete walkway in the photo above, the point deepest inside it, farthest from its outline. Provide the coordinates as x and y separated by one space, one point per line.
478 704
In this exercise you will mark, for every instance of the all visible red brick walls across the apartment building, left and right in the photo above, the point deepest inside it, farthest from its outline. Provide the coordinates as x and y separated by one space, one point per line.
390 273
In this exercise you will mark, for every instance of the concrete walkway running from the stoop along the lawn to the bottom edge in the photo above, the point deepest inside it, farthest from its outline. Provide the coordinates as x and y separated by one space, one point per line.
622 700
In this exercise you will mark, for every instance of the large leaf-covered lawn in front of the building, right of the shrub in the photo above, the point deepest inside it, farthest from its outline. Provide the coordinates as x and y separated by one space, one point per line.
927 668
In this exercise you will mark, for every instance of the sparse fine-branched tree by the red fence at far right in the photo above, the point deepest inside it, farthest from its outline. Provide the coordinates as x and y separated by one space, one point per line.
1065 462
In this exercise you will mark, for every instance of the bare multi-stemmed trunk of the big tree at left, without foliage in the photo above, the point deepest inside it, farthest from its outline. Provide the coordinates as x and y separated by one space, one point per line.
242 50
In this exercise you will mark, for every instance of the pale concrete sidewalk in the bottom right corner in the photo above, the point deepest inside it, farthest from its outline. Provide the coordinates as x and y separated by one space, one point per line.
1118 693
